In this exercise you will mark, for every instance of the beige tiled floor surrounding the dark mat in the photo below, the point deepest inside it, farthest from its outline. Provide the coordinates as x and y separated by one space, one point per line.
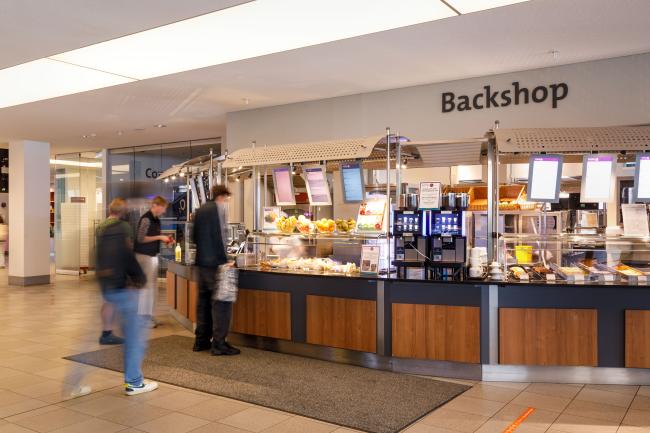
40 325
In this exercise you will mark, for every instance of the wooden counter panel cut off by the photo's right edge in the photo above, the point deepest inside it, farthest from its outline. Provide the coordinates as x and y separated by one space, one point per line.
637 338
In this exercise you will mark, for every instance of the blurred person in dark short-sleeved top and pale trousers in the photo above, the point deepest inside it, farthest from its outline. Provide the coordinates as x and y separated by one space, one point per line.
147 248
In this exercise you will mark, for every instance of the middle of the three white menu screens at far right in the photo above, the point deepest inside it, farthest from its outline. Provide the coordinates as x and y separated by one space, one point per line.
597 172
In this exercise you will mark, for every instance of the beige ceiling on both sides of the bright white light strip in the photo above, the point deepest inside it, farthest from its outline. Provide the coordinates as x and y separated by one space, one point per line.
193 104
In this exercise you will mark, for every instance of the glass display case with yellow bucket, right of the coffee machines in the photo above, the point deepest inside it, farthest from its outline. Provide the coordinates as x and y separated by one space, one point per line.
576 258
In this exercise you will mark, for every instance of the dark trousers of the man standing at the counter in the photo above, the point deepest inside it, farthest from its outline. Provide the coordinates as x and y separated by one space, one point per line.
212 317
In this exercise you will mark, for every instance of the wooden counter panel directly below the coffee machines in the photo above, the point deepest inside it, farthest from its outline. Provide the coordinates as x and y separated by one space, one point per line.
437 332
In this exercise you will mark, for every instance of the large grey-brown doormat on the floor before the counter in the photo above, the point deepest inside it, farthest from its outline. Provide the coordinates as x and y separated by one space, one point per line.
361 398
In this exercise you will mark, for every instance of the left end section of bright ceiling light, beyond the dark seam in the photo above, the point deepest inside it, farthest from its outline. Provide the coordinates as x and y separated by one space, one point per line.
47 78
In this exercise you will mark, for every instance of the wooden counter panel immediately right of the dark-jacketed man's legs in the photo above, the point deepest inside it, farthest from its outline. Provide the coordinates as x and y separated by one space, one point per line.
263 313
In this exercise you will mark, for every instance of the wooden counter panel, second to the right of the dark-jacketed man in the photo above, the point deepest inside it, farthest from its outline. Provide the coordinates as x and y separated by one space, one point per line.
343 323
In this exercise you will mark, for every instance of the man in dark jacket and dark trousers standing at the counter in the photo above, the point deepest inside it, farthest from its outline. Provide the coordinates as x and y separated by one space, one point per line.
212 316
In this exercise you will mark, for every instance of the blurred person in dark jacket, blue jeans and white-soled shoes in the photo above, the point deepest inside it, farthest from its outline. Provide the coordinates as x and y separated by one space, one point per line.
117 270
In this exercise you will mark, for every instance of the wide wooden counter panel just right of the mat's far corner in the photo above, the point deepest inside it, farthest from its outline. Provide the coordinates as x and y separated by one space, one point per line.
548 336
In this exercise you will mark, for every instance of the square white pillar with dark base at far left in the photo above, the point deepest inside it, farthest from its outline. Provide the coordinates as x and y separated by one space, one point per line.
29 213
